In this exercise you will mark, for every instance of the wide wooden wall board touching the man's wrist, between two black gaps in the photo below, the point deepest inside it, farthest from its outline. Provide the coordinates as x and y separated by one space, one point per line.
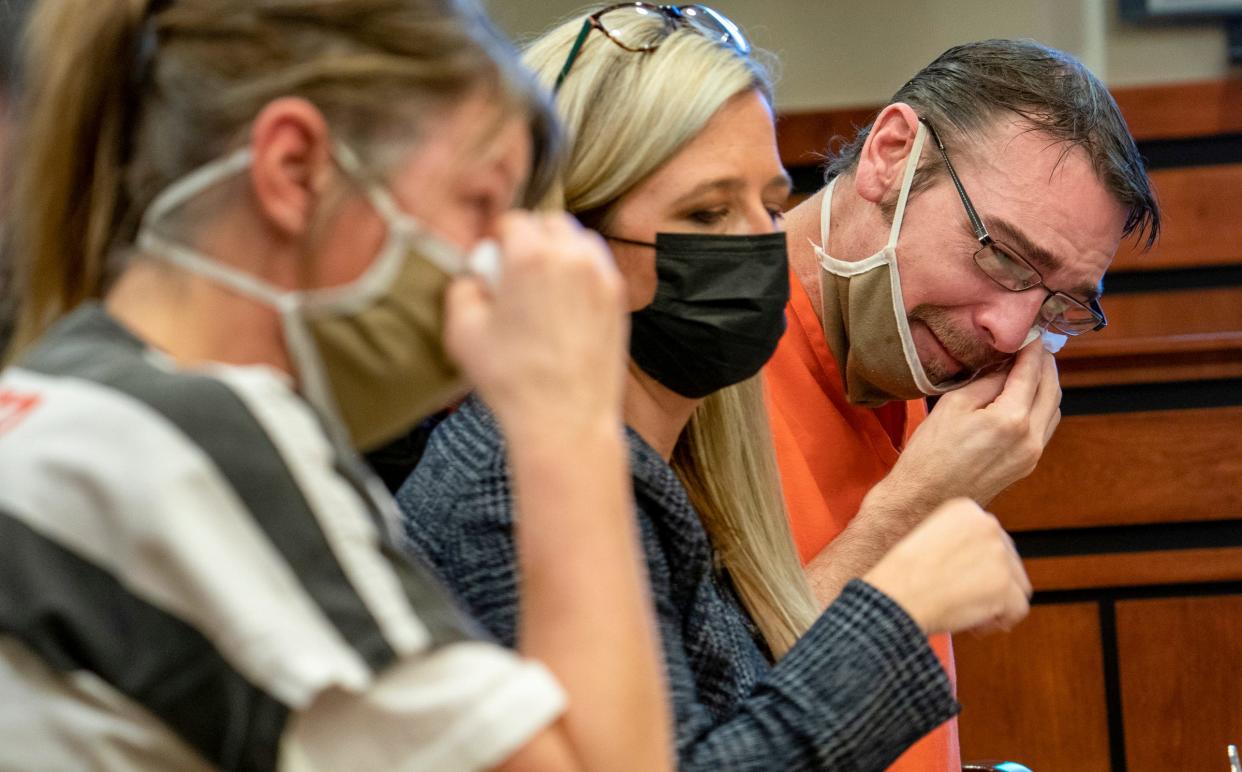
1132 469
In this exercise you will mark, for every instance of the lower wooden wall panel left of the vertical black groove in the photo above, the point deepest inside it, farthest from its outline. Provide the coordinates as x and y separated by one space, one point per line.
1036 696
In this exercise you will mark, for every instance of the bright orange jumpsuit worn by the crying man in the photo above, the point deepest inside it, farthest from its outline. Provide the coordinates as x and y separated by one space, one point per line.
832 454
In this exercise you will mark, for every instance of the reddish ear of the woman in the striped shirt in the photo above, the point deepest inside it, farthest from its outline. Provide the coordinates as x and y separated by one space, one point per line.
292 164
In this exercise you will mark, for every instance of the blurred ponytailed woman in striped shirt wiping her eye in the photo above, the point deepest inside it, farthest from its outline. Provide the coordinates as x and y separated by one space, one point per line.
278 203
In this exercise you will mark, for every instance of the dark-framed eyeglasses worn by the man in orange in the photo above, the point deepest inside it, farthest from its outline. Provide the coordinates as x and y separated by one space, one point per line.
1004 266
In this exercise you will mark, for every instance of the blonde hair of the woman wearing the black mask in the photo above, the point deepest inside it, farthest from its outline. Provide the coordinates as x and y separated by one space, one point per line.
627 115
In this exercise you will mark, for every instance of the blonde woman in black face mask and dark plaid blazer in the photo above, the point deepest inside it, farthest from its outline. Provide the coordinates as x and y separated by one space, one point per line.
674 161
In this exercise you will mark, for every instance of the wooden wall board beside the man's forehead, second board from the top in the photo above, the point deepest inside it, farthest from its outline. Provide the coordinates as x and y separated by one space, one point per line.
1200 209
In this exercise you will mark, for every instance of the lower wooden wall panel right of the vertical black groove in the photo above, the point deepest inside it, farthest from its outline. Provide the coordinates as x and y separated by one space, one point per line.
1182 671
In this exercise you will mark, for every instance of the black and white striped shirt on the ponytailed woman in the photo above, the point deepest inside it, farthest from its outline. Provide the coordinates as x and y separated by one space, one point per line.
193 578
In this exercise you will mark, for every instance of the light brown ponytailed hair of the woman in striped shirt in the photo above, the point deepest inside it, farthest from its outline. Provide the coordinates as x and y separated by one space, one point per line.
126 96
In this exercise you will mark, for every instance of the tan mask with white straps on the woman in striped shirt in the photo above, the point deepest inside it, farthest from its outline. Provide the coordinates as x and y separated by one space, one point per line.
369 354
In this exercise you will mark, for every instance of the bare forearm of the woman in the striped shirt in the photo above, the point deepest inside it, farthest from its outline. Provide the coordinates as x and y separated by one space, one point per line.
586 608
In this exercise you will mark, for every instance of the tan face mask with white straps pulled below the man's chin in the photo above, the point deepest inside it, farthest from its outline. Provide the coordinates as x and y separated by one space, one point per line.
865 318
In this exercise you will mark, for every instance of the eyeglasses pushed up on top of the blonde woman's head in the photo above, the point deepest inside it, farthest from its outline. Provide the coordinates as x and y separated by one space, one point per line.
618 23
